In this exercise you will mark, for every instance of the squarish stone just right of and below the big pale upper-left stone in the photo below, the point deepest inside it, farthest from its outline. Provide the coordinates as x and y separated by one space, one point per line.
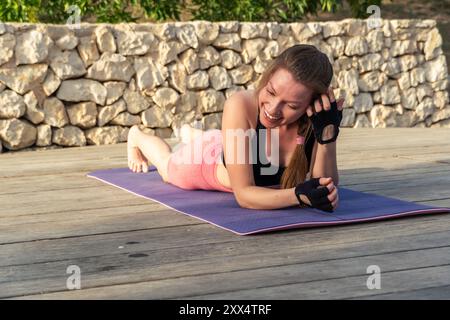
67 64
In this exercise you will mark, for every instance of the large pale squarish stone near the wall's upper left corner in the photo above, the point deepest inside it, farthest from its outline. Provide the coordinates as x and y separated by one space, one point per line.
32 47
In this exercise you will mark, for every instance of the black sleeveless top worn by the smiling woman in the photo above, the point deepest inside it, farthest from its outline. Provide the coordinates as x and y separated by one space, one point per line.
269 180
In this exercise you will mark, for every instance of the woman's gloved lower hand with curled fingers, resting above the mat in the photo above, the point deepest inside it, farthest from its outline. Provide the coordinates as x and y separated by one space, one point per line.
319 193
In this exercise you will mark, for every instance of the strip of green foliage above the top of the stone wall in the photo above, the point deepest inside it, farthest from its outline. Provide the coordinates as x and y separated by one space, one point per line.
113 11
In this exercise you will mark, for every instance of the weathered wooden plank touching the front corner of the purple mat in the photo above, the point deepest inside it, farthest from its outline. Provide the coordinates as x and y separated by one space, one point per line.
189 254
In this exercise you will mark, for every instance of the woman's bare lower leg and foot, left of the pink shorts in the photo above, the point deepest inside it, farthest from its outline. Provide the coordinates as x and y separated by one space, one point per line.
142 148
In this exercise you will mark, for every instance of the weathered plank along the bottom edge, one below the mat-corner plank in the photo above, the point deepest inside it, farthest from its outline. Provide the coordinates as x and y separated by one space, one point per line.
342 277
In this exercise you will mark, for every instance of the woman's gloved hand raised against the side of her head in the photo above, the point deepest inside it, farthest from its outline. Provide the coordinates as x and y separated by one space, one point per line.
326 116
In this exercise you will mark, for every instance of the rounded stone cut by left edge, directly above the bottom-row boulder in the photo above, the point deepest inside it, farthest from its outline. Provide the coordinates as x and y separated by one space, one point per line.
17 134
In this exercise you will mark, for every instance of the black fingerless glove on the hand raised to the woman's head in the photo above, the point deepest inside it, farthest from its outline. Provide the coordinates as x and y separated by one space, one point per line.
324 118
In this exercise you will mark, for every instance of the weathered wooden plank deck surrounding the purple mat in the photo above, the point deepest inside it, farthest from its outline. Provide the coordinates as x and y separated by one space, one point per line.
53 216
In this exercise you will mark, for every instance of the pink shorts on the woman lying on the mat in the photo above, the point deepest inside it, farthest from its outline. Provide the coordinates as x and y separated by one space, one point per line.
194 165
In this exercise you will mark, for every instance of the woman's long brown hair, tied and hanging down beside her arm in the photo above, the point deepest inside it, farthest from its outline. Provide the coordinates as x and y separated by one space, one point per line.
312 68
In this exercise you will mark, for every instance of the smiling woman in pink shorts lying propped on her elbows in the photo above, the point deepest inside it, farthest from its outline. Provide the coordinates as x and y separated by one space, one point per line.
293 102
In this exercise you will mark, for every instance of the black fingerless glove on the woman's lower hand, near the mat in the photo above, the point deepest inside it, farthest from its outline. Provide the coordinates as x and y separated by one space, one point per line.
317 196
